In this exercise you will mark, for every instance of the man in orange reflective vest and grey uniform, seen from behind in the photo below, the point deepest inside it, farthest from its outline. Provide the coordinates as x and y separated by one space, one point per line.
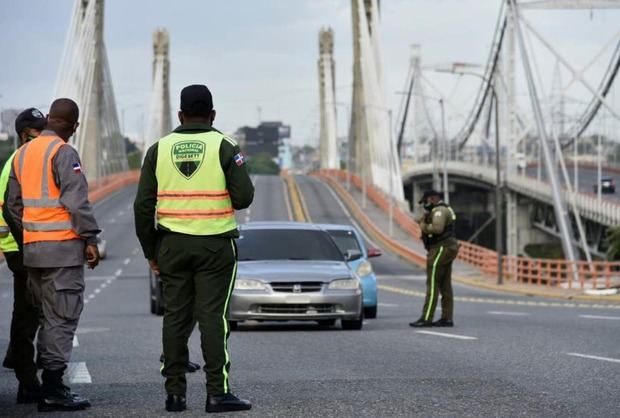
48 203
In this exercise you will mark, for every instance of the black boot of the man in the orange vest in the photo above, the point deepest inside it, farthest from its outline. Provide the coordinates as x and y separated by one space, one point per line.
58 397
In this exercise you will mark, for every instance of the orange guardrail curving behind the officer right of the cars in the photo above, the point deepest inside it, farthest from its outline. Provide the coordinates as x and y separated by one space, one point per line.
534 271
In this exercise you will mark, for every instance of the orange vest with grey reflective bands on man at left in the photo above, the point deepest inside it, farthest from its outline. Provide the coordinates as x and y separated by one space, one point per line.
44 219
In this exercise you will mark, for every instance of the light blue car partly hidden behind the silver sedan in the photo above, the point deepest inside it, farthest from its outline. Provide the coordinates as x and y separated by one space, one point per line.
348 239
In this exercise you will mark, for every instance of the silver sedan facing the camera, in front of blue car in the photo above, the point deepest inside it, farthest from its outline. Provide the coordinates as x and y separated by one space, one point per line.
295 271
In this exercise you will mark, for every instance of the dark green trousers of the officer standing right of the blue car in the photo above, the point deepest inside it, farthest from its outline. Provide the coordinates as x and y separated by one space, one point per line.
439 280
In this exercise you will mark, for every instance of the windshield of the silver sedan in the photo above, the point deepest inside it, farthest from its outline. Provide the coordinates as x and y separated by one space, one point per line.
286 244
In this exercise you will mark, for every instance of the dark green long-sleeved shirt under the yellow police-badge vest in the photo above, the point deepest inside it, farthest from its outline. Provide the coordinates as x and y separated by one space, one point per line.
238 184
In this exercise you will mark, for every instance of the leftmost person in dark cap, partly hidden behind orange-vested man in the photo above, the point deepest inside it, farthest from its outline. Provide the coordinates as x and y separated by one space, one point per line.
25 319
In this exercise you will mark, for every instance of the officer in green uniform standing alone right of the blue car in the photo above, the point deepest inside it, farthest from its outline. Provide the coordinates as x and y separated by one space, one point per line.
437 227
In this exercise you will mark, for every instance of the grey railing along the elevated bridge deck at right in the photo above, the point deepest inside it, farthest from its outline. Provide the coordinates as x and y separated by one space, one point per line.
604 212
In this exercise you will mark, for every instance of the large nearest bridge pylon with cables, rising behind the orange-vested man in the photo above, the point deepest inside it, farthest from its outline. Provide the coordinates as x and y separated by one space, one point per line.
84 76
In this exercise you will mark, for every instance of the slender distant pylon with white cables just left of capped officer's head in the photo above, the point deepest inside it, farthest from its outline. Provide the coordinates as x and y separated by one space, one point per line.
159 118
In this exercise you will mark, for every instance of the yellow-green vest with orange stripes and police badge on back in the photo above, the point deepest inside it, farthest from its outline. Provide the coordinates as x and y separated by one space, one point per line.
191 186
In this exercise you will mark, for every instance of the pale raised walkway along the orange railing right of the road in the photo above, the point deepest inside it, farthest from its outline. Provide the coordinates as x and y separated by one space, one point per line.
463 272
